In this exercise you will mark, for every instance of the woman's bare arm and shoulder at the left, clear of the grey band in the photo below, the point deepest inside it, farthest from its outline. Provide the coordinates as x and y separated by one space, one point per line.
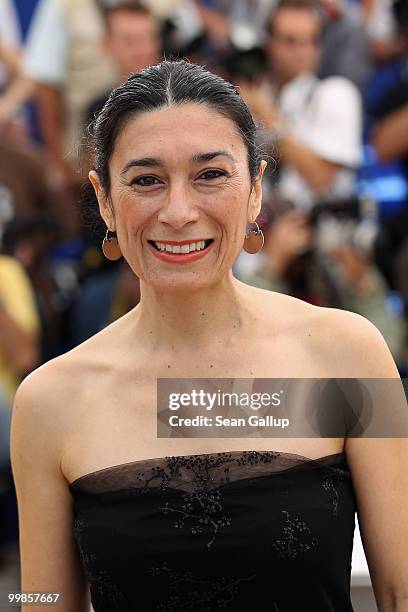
49 557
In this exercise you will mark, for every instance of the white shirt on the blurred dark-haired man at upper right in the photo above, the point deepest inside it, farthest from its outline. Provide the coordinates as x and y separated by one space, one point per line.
326 116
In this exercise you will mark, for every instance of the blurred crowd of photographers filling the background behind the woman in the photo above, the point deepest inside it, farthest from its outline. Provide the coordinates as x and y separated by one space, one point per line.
327 83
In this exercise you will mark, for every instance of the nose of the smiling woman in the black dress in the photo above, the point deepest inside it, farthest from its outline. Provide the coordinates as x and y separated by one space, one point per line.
179 207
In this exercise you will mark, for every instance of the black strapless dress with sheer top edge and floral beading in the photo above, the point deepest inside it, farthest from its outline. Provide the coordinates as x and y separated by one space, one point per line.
236 531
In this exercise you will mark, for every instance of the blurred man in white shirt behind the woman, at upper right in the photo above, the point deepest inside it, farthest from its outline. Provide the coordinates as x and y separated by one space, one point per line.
312 126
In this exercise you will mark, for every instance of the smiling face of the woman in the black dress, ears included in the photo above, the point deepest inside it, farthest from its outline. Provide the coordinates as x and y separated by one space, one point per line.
180 174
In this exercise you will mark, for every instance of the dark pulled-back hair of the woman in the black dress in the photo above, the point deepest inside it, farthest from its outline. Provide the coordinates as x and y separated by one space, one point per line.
169 83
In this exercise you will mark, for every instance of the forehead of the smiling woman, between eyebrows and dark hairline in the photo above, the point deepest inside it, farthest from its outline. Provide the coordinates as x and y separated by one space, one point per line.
175 133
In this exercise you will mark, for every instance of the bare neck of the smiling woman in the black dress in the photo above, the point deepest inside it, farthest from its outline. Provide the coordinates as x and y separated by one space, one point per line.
189 320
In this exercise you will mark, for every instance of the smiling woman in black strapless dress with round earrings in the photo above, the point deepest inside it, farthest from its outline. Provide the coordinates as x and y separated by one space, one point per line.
182 523
